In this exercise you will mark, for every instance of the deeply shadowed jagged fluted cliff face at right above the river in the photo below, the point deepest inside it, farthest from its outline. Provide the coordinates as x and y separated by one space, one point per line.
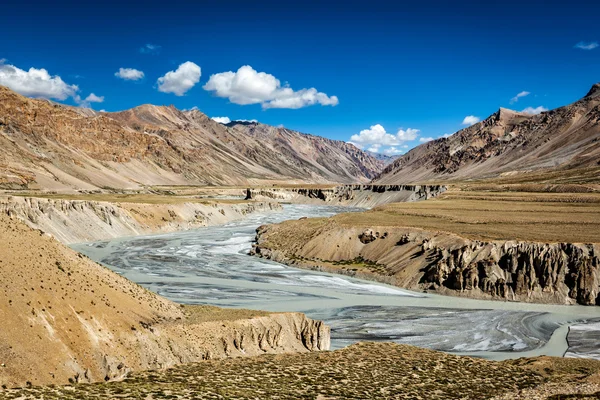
515 270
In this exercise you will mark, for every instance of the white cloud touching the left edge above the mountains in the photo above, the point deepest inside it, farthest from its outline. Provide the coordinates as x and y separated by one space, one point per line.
35 83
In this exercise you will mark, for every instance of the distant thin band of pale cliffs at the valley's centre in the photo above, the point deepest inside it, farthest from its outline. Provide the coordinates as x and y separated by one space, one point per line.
349 195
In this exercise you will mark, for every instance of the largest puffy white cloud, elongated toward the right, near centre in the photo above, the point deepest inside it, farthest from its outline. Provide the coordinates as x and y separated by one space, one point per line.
247 86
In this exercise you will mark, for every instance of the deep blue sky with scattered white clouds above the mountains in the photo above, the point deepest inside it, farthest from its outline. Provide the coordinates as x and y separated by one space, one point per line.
399 72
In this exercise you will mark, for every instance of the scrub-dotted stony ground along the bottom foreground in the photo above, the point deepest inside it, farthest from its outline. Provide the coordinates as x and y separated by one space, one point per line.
362 371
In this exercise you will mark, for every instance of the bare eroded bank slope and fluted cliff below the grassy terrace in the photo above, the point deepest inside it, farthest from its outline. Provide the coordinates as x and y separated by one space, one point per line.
563 273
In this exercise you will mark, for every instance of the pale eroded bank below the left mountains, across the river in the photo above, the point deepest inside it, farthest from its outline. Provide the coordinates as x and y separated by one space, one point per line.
73 221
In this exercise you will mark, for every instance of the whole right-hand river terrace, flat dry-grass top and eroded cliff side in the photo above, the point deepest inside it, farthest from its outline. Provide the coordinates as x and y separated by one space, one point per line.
533 247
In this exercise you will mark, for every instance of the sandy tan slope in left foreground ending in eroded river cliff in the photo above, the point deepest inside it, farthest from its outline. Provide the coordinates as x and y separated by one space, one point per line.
65 318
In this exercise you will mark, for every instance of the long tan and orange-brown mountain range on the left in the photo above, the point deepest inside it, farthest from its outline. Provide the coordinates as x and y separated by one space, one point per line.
52 146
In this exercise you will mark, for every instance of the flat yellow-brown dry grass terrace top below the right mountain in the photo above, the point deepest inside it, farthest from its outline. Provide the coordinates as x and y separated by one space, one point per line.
540 217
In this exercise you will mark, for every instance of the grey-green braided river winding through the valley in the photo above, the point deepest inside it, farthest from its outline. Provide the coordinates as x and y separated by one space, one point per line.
211 266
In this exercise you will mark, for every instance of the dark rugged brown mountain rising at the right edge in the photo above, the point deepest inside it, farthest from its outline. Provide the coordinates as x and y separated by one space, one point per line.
566 138
